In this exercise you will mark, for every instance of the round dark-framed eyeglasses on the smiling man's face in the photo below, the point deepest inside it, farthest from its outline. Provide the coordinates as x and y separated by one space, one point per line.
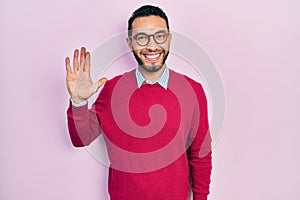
159 37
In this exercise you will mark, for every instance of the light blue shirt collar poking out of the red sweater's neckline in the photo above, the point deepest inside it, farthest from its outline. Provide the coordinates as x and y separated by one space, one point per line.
162 80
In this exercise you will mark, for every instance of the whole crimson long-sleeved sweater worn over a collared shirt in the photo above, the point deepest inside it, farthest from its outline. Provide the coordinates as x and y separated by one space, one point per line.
155 137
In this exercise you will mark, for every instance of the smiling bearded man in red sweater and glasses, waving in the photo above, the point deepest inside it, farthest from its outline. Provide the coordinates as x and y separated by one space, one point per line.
154 120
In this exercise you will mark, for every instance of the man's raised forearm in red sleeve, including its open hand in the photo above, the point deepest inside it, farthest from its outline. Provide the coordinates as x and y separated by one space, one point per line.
83 123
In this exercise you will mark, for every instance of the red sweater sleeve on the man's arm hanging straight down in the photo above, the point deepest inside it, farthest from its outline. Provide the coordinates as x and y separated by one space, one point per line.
199 152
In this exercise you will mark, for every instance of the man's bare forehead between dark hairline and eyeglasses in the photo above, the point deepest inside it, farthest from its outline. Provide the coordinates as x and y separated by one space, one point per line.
149 23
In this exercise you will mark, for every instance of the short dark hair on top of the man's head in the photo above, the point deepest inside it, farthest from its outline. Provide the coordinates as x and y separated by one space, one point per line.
145 11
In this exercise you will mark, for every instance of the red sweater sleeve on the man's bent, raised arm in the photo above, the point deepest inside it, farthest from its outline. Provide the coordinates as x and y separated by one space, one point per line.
83 123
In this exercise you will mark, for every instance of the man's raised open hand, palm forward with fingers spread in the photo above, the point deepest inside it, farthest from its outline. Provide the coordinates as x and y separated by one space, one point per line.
79 83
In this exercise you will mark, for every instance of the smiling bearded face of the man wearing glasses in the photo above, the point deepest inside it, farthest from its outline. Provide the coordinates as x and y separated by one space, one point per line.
151 56
